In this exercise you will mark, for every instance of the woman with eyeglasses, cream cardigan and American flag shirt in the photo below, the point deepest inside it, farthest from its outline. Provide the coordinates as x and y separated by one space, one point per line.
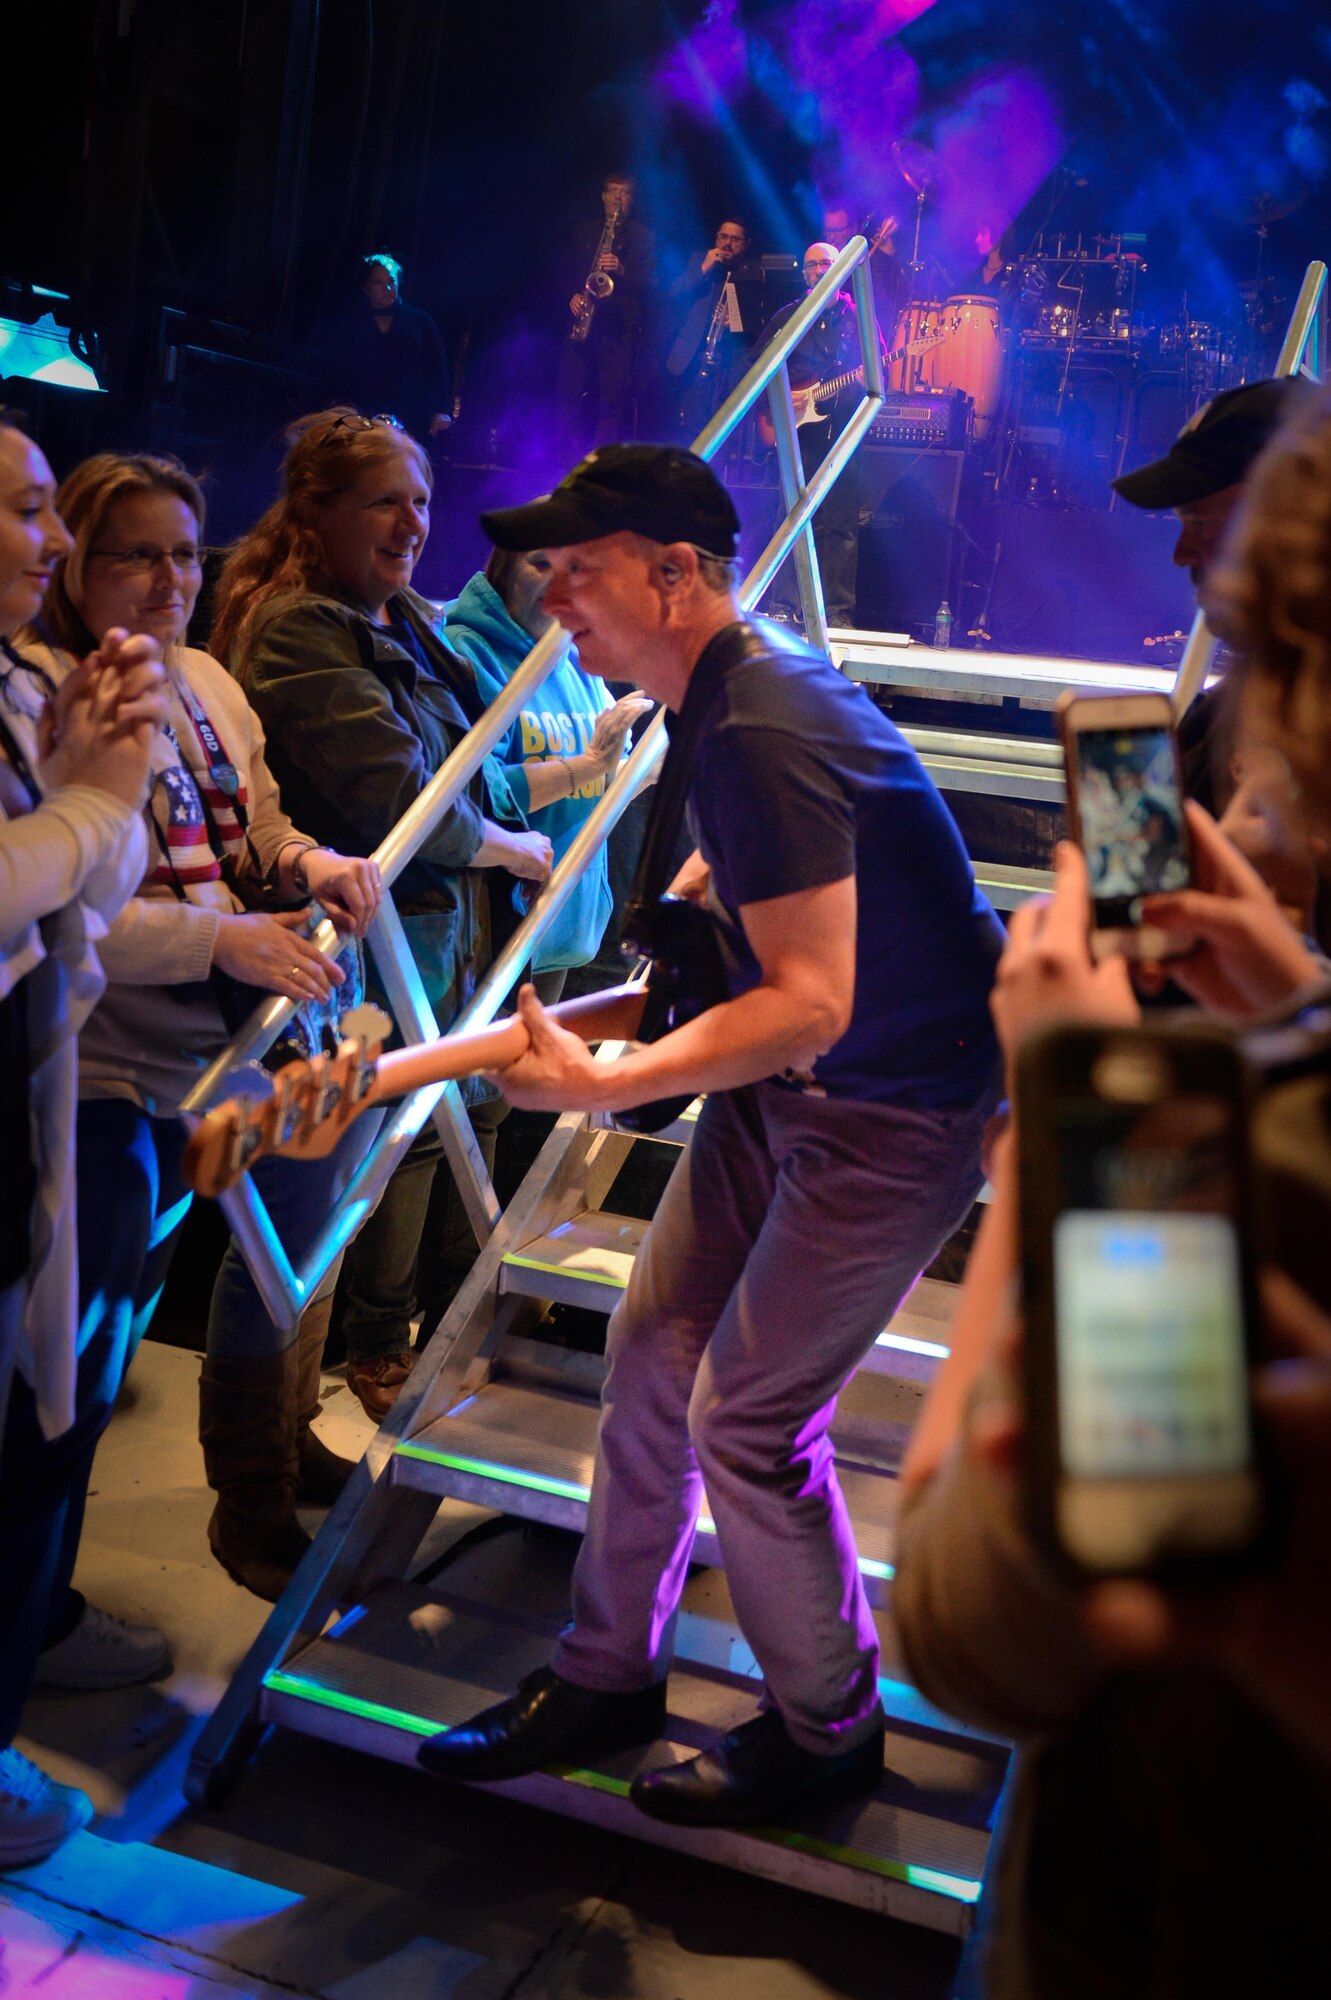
215 927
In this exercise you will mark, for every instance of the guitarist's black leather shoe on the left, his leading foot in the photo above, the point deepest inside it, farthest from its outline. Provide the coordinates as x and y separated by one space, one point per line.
551 1721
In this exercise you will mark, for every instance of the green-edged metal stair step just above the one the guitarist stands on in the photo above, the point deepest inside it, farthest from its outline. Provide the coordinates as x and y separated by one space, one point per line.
531 1453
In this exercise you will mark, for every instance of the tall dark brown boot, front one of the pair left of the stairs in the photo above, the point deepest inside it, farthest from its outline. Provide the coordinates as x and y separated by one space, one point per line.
247 1425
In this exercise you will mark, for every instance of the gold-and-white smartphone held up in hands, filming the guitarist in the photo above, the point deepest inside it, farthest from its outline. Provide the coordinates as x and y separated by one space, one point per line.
1126 811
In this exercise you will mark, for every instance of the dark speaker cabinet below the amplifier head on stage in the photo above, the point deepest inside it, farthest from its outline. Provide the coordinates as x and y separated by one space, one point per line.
906 551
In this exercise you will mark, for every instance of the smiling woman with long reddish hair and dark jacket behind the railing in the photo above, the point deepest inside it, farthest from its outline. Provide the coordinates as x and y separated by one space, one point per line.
363 703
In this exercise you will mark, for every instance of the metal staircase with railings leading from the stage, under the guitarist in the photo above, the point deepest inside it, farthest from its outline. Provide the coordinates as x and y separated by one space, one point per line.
503 1419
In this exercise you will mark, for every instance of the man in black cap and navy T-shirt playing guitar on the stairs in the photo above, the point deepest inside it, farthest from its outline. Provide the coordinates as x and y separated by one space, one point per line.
848 1077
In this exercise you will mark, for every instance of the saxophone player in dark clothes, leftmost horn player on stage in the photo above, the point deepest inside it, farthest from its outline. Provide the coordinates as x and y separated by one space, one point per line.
599 363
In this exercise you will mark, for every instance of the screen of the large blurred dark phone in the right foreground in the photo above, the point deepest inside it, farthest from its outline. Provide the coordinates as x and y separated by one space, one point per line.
1150 1327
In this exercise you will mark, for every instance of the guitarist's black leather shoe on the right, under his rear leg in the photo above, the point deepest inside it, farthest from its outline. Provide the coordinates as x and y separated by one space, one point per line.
754 1775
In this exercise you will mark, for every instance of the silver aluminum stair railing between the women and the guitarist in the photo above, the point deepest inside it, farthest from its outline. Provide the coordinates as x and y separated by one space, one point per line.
285 1289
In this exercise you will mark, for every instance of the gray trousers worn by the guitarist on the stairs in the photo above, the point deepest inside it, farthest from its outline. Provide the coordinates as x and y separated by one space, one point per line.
784 1243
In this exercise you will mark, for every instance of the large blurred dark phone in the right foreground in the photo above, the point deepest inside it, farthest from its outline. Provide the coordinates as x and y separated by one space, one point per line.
1138 1301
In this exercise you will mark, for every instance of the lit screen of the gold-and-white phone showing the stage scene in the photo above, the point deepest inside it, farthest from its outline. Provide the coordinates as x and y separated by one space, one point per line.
1130 813
